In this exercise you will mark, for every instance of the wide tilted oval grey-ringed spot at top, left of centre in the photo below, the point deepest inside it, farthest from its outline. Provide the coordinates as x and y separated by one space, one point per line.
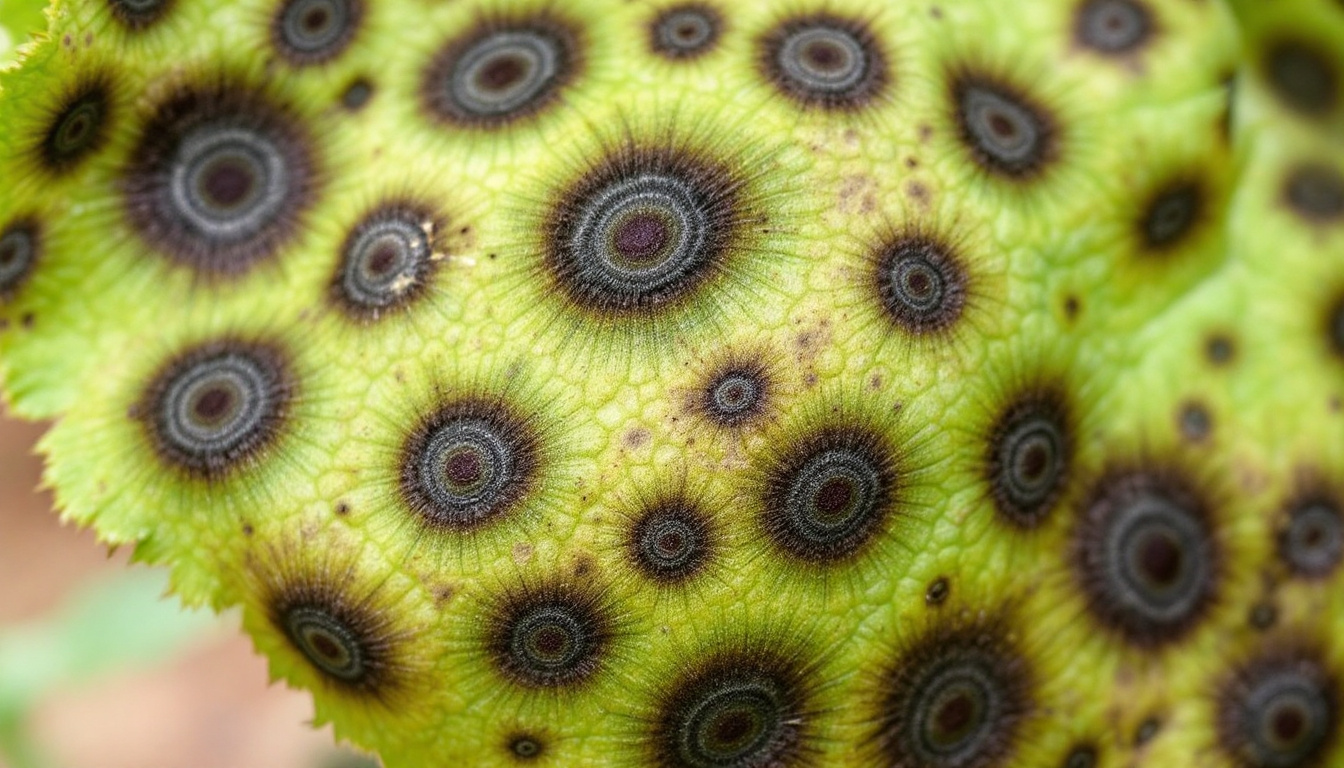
502 72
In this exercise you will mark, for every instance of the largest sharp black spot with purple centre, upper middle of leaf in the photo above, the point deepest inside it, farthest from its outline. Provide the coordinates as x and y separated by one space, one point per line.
642 232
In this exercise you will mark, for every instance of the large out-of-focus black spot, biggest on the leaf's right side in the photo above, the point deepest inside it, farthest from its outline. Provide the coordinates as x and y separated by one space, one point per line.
1146 555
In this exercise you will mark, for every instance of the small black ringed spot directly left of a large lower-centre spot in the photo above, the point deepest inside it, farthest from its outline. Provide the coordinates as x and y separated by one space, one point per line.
670 543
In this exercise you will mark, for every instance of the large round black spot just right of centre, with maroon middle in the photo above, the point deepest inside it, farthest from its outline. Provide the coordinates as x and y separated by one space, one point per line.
830 494
